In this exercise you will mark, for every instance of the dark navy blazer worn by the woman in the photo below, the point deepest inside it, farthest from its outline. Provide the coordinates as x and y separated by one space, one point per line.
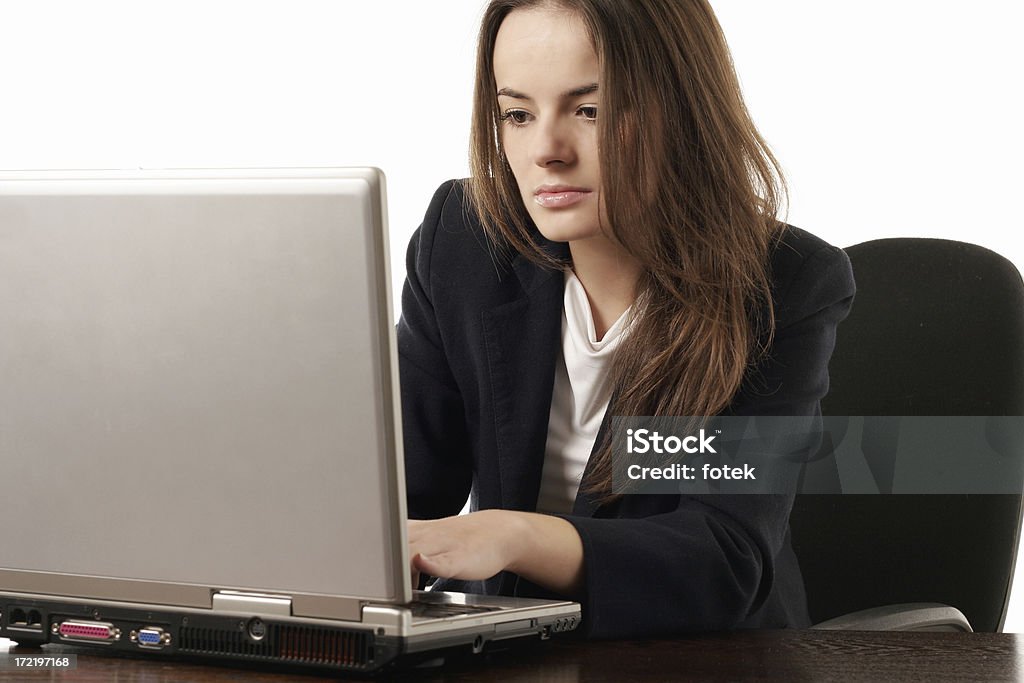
479 340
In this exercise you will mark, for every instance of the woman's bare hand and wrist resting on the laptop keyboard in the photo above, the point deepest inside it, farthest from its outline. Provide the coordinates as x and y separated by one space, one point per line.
543 549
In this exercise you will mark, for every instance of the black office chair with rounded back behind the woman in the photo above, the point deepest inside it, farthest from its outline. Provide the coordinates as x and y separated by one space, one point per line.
936 329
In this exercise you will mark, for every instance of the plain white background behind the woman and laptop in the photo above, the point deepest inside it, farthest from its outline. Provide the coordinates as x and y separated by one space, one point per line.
890 117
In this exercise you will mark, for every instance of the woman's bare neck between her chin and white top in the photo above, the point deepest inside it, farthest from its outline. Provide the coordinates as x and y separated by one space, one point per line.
609 276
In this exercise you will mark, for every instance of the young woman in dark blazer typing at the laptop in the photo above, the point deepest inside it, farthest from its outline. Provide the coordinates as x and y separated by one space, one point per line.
616 253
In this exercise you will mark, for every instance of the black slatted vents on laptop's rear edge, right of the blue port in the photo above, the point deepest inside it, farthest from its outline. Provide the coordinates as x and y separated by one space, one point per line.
283 644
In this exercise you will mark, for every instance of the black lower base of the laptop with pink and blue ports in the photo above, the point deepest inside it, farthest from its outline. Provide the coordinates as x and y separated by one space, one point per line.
315 646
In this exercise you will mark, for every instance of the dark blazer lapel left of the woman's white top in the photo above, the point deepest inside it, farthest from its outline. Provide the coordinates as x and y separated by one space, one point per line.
524 339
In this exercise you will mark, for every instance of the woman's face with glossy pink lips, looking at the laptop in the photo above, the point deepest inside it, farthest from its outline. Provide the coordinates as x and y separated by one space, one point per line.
547 76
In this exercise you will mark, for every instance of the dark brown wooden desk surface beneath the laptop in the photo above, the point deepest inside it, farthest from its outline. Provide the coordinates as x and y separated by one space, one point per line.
791 656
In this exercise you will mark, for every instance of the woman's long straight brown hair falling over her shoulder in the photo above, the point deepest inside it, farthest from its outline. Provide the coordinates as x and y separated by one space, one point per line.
698 209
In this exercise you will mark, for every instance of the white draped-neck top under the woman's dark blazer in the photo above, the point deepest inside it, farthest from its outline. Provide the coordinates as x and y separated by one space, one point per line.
579 400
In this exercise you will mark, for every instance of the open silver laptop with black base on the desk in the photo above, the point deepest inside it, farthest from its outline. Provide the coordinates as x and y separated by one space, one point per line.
200 431
